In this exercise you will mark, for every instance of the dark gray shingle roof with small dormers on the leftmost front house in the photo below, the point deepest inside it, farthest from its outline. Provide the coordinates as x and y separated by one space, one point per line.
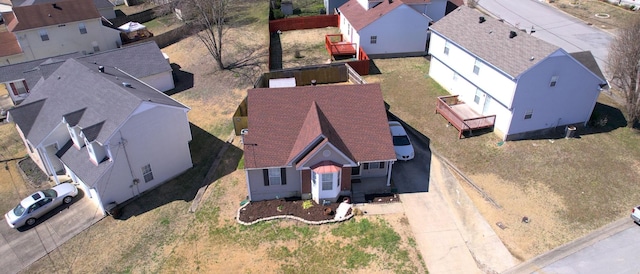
78 85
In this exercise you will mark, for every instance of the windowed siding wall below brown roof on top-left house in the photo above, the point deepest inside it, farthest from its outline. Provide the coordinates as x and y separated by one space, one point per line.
67 39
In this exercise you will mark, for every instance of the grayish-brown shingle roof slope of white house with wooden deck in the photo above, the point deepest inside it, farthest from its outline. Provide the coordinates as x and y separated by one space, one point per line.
490 41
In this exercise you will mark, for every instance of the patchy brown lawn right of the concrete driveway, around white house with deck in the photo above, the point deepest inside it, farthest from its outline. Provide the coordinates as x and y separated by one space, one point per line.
567 187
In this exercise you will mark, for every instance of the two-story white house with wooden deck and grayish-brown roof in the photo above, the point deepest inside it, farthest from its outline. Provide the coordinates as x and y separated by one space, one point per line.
526 85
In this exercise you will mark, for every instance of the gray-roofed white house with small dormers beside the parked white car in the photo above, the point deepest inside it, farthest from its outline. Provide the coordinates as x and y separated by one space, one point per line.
113 135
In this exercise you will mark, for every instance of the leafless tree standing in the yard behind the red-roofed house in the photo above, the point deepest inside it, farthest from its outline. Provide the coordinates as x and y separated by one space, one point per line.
210 16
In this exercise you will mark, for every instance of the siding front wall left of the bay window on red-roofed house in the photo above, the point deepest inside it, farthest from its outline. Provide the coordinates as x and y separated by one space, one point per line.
261 192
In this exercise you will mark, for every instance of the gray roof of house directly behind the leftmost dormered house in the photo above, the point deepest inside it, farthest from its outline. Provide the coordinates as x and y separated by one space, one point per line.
139 60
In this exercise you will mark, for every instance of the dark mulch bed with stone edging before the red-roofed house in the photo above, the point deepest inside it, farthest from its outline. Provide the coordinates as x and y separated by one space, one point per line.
263 209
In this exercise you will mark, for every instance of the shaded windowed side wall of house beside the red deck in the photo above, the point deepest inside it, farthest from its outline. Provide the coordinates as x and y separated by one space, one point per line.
402 30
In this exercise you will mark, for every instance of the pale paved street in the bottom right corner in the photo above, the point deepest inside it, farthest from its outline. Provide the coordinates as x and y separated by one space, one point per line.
611 249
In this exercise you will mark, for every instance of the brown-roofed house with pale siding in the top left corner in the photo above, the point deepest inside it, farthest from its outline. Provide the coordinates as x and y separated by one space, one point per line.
50 29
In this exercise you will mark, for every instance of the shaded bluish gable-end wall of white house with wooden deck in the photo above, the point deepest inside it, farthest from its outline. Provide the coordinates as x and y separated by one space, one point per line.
570 101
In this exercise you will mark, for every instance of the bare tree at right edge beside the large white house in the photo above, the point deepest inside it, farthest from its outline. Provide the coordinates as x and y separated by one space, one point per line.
624 59
